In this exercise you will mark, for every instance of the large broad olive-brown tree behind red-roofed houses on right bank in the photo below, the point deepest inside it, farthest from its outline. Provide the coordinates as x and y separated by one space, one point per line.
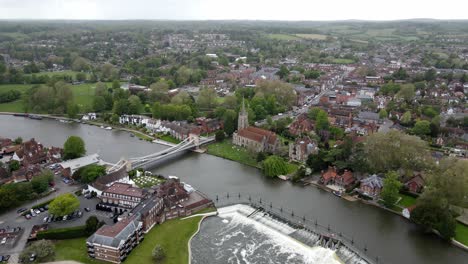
395 150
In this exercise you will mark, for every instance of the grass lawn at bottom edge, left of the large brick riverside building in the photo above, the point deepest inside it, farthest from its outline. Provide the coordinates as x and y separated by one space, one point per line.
74 249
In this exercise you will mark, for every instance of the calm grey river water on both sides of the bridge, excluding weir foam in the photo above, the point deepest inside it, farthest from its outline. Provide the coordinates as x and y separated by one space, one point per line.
388 236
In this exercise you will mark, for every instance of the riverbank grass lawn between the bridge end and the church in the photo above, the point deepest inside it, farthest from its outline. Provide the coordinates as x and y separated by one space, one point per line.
227 150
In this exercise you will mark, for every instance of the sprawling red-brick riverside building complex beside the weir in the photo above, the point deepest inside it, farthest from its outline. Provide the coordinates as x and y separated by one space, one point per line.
168 200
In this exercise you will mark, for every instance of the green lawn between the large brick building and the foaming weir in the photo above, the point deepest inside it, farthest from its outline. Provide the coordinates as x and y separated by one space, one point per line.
172 235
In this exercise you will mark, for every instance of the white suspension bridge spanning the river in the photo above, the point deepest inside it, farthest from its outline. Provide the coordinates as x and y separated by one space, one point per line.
190 143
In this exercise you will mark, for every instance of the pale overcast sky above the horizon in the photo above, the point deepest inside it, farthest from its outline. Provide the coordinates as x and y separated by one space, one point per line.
233 9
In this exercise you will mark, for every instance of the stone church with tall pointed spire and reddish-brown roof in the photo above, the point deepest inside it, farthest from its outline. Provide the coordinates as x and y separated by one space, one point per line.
253 138
